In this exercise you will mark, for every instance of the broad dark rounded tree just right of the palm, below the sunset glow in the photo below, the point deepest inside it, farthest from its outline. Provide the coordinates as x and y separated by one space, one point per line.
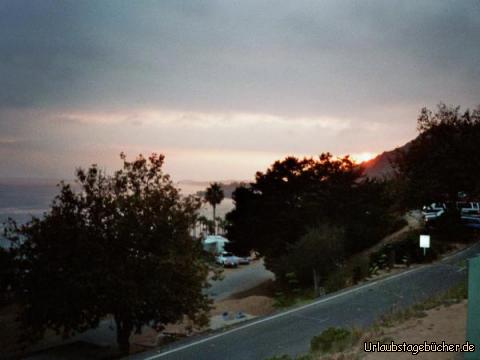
273 213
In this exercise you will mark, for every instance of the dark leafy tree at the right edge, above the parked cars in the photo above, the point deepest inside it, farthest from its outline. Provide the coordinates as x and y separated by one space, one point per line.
444 159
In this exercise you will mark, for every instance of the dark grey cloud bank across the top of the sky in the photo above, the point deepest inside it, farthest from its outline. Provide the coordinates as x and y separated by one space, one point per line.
270 57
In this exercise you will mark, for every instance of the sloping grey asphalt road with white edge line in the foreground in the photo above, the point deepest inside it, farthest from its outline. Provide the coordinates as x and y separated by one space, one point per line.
290 332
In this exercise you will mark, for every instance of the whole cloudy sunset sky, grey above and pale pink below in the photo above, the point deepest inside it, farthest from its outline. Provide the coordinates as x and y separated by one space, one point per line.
224 88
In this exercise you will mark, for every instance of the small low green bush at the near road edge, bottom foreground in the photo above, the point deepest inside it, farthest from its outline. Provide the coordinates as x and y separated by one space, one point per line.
334 340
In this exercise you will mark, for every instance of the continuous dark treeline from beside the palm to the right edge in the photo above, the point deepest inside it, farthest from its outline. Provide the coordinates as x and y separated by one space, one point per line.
291 210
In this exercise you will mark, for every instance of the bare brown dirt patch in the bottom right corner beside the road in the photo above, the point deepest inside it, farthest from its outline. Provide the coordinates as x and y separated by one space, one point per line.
441 324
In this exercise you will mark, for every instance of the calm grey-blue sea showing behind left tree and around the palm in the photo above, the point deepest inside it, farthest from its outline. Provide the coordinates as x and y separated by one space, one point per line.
22 201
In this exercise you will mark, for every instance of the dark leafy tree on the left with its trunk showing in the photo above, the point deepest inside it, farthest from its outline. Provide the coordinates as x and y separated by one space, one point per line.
119 246
